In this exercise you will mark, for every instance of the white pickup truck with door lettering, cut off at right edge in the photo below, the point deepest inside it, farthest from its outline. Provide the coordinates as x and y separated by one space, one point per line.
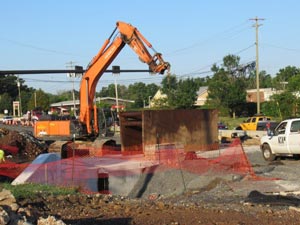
283 141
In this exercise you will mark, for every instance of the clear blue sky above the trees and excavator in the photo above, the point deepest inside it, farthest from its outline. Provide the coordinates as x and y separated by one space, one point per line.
192 35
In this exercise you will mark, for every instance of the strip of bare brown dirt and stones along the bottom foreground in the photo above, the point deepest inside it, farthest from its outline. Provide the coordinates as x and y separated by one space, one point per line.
185 209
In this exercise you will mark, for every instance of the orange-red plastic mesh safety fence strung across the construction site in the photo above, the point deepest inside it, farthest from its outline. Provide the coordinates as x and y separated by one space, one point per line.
89 171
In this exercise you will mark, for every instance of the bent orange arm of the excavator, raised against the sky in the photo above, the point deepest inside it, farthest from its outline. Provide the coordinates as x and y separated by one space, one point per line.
127 35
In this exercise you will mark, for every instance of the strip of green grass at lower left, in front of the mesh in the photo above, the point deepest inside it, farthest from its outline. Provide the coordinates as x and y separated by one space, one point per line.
29 190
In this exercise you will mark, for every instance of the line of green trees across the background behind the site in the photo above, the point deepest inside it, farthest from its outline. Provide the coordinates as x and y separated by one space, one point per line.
226 91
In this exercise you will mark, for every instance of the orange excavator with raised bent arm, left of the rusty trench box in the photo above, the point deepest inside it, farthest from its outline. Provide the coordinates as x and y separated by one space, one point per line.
89 124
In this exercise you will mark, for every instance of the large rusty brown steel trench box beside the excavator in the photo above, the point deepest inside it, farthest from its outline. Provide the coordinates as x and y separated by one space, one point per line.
192 129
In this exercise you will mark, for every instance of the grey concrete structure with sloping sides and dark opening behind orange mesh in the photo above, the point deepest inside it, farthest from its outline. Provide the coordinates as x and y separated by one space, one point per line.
122 172
